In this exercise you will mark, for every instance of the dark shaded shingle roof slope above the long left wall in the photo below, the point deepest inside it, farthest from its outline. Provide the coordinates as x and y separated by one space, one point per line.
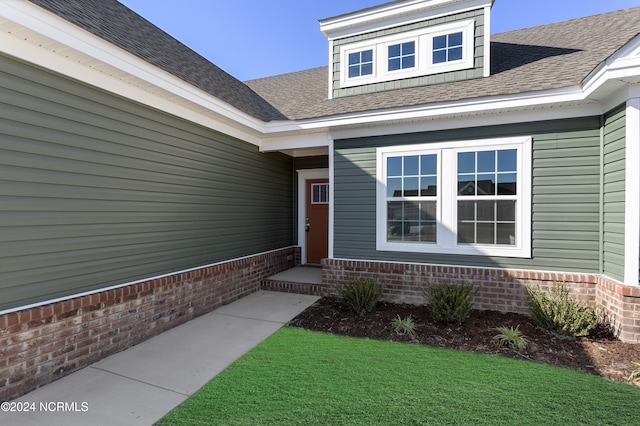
119 25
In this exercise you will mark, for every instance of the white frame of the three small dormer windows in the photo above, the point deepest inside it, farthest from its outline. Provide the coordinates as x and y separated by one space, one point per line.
423 39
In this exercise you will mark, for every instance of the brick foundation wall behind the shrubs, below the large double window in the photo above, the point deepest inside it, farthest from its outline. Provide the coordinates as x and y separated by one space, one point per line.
499 289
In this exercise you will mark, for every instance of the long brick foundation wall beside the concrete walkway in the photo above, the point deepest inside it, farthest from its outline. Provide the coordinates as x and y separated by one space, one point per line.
39 345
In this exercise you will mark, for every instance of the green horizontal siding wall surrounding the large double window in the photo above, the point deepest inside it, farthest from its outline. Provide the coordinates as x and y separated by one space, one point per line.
566 188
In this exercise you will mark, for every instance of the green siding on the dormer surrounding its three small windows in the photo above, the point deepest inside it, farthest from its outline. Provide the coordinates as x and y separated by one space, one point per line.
476 72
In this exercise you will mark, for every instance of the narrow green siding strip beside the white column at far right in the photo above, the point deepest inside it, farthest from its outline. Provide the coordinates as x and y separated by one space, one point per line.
614 195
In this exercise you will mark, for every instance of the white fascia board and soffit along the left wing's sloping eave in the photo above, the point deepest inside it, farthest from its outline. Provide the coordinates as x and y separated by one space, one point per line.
33 18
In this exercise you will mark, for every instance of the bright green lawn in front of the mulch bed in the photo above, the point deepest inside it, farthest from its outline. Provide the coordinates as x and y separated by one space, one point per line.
299 377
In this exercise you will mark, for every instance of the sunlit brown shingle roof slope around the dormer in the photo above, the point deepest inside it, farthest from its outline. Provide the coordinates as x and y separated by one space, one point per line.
546 57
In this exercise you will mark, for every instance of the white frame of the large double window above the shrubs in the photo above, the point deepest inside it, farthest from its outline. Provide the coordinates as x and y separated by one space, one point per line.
447 211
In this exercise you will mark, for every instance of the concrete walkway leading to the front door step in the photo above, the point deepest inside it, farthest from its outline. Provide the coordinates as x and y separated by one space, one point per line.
140 385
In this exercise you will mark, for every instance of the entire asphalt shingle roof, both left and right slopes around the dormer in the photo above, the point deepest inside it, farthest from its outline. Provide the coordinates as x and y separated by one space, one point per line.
540 58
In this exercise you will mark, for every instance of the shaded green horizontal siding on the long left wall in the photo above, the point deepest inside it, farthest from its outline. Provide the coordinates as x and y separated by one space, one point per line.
97 191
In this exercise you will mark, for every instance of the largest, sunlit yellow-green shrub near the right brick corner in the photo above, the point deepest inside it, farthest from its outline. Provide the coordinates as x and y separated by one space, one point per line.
558 313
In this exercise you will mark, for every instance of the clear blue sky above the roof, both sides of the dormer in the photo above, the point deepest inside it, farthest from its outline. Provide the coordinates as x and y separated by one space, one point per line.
260 38
